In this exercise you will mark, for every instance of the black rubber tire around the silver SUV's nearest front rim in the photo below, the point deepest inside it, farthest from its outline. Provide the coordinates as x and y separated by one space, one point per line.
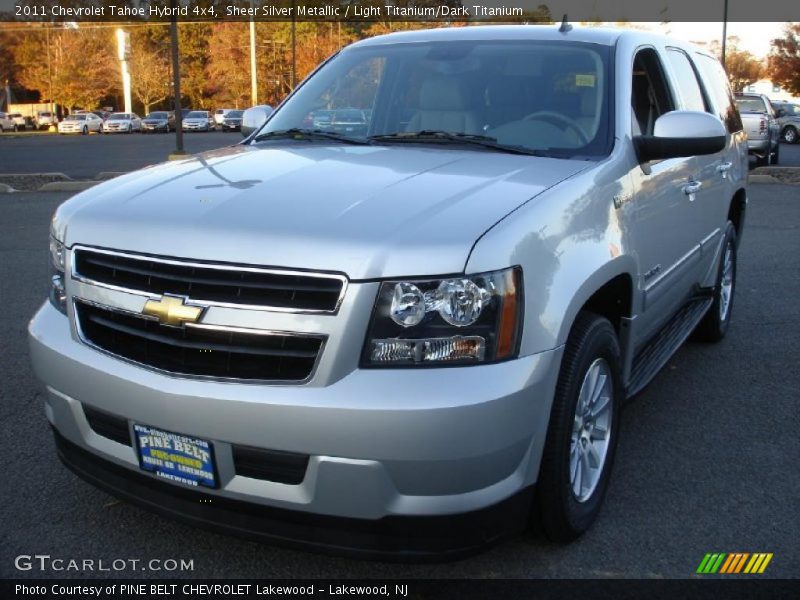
558 511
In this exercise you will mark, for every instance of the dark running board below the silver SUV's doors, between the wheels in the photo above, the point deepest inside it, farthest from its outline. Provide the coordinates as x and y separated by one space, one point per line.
655 354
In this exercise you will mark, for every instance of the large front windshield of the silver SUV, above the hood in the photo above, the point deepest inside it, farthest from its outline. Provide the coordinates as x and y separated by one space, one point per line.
540 96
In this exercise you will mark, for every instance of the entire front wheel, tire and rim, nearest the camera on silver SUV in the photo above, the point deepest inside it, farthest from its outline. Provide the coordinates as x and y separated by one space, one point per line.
583 430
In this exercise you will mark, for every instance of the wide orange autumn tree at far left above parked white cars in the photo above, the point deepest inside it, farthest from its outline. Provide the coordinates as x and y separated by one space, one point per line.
79 65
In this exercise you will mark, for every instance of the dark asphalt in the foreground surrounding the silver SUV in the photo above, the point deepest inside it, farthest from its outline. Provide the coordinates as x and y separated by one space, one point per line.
707 459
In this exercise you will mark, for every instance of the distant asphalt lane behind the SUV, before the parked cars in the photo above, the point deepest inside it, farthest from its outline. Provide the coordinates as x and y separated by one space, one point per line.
83 157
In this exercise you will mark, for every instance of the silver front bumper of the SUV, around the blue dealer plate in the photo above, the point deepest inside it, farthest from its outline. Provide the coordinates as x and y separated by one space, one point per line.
383 444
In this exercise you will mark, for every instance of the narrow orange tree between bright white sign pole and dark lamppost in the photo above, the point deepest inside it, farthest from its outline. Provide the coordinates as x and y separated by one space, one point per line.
149 65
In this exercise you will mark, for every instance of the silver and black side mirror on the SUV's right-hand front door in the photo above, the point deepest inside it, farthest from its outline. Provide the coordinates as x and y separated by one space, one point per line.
681 133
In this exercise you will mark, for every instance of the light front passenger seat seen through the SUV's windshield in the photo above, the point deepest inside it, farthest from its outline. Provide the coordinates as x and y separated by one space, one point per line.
443 106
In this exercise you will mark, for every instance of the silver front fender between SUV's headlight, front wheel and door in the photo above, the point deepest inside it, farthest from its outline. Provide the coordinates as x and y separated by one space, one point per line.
569 242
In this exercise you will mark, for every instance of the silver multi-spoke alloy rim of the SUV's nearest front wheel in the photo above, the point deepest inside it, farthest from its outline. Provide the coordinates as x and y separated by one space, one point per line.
591 430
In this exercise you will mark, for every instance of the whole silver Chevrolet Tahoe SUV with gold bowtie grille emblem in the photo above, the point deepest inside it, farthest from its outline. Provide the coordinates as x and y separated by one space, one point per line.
406 337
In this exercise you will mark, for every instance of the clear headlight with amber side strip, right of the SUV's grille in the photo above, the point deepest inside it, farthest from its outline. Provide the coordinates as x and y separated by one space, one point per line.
468 319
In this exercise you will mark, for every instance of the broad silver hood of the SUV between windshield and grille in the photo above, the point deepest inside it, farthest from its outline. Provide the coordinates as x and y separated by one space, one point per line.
366 211
